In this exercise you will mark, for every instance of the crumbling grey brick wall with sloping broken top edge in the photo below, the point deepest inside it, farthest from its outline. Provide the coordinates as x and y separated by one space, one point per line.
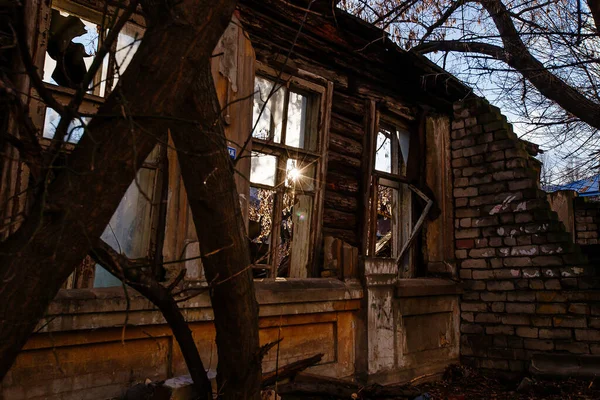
528 288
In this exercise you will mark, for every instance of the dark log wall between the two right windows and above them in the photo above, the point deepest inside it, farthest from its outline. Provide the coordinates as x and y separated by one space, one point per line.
317 52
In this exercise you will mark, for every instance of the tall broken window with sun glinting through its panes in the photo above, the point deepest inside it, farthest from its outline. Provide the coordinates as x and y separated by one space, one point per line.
282 178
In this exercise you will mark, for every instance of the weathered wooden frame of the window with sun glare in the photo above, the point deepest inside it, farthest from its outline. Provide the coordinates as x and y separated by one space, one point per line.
283 153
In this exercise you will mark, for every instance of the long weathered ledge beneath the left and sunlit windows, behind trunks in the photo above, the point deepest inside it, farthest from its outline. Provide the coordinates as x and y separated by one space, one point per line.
80 309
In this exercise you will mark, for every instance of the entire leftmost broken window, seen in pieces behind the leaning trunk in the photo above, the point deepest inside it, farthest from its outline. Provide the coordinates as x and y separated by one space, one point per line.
74 36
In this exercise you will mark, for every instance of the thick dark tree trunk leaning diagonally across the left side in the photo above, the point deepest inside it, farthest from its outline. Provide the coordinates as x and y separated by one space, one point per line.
78 204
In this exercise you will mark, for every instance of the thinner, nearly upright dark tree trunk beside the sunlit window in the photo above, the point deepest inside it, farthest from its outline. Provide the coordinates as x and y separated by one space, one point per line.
208 176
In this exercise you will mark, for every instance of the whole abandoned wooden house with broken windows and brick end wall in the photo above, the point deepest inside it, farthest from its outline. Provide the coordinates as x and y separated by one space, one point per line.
394 218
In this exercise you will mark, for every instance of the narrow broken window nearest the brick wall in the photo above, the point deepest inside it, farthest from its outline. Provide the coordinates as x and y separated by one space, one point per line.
390 205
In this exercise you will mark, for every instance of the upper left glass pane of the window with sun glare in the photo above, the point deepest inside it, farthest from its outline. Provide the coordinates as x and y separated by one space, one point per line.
267 113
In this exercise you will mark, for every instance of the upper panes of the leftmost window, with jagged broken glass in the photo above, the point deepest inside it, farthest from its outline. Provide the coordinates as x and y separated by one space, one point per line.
74 36
